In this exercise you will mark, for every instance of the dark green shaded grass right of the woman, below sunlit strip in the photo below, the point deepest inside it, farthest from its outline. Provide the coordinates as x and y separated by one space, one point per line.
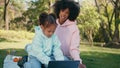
100 60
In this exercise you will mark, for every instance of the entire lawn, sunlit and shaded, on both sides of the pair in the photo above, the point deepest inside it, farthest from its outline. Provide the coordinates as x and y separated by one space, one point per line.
93 57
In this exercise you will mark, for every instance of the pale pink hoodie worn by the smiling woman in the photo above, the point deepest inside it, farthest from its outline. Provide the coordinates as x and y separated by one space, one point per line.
68 34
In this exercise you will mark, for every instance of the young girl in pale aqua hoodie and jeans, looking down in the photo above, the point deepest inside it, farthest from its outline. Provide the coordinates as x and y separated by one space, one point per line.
45 45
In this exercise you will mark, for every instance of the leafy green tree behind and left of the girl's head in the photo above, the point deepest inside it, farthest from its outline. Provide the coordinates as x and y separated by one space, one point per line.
29 18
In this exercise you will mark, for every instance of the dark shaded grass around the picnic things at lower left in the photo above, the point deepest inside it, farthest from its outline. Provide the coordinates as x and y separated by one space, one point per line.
4 52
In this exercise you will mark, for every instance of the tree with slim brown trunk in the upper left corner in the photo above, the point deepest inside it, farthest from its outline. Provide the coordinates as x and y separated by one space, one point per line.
14 8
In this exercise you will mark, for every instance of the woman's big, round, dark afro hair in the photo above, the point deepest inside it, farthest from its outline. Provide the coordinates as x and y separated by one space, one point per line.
73 7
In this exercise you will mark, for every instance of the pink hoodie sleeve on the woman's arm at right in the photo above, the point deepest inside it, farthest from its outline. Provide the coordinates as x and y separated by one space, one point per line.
74 46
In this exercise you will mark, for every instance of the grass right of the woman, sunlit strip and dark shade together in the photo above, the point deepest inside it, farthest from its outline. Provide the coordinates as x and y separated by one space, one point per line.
100 57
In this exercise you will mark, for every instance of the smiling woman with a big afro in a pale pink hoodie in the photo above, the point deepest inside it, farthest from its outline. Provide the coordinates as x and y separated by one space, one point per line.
67 30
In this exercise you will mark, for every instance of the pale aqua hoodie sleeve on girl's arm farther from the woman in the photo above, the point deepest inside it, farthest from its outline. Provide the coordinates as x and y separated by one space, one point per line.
38 51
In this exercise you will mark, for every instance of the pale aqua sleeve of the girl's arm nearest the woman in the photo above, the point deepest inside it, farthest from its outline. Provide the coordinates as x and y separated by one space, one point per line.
57 50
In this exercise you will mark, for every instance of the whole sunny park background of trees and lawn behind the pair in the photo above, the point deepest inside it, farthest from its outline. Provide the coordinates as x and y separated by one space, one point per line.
98 23
